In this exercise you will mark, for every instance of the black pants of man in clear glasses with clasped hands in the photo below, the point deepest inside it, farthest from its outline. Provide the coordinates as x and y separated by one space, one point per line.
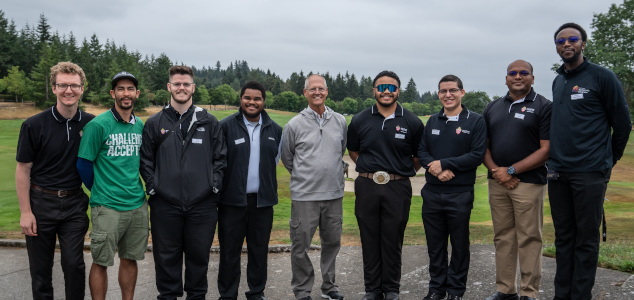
446 216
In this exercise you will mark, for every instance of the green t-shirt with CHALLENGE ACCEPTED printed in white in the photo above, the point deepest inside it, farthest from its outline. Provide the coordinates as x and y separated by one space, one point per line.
113 147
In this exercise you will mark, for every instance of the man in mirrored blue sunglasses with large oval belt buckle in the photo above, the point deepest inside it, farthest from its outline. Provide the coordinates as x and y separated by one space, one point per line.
383 142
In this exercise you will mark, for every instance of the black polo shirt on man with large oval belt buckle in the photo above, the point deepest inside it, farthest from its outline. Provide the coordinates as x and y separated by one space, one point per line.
385 144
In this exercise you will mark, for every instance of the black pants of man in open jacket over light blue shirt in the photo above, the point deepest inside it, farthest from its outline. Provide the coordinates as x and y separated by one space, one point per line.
235 223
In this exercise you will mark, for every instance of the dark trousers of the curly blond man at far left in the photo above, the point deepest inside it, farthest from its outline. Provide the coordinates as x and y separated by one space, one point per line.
64 218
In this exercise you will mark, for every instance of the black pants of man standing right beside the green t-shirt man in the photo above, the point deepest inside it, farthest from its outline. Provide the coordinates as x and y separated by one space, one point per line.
175 232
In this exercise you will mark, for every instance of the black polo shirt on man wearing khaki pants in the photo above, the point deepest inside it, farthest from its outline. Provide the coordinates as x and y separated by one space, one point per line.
515 130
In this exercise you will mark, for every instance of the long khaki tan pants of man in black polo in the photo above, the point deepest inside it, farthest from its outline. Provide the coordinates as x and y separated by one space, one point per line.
517 216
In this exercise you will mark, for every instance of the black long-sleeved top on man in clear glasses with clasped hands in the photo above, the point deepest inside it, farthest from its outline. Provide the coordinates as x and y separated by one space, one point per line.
460 147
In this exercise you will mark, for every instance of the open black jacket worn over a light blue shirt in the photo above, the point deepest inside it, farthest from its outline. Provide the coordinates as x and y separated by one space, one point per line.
235 181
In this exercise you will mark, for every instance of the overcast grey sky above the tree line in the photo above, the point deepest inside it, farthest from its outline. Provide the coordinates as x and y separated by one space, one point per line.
424 40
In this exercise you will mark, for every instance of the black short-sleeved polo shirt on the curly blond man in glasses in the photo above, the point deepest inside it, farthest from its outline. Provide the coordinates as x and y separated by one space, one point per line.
51 143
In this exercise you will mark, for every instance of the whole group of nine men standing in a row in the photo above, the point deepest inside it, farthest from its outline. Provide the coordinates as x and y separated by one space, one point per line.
200 172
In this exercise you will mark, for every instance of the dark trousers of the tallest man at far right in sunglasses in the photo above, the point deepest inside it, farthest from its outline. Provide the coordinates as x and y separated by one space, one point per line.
576 205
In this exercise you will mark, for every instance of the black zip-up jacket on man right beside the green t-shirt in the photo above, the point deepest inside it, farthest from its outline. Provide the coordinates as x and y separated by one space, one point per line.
184 170
